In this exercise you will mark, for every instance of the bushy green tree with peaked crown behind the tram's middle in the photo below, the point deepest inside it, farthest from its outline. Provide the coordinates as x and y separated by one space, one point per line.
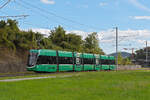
61 40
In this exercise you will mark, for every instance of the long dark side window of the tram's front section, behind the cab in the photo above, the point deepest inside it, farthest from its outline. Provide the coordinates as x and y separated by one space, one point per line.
46 60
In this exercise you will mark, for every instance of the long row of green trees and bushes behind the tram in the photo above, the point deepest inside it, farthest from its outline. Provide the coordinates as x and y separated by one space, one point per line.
13 38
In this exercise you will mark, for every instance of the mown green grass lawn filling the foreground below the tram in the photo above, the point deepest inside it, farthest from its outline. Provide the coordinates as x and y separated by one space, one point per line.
121 85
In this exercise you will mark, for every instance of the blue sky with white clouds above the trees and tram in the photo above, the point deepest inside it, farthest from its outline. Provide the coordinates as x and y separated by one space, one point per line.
132 17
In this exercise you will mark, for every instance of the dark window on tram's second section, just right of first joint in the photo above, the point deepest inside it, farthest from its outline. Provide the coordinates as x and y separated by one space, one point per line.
65 60
